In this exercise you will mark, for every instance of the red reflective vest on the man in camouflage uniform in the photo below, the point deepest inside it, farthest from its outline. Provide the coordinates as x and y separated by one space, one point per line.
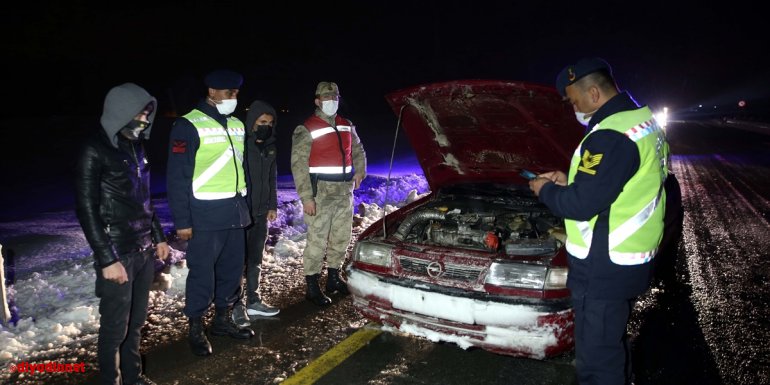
330 152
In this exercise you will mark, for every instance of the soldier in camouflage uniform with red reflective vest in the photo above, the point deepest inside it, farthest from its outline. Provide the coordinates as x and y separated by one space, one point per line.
327 163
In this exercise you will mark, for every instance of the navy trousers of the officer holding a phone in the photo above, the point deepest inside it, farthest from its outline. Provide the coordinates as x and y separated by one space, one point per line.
602 353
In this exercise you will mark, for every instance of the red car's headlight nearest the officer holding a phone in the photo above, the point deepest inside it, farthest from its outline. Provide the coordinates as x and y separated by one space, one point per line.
527 276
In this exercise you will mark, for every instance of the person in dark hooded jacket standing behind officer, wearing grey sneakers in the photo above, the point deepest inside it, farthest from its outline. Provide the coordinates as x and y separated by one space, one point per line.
261 177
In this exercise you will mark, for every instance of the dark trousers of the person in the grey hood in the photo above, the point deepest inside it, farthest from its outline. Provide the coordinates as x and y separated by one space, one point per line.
123 310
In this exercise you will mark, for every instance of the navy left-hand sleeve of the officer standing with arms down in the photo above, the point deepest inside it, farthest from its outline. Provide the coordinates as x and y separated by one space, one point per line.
183 144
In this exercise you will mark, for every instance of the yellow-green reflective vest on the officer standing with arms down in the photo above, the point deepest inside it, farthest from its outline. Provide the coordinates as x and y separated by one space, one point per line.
217 175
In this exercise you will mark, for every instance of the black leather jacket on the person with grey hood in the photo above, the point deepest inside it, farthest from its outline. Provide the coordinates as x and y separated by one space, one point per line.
113 200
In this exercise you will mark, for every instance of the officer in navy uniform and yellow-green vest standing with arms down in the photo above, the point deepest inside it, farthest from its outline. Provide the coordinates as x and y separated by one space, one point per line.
207 197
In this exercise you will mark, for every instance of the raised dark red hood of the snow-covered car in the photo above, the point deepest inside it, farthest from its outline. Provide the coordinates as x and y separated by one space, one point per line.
486 130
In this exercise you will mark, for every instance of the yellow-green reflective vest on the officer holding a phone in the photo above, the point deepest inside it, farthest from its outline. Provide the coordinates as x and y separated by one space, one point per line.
636 216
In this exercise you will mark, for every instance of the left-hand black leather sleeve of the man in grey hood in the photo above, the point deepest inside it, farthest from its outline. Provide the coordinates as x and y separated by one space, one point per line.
87 197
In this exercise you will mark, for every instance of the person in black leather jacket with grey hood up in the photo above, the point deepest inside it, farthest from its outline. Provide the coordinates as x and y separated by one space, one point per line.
114 208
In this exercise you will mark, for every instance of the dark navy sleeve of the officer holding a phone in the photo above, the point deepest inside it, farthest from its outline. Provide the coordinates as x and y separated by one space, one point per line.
590 194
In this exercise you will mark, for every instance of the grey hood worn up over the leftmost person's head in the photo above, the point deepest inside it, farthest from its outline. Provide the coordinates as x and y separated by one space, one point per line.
121 105
